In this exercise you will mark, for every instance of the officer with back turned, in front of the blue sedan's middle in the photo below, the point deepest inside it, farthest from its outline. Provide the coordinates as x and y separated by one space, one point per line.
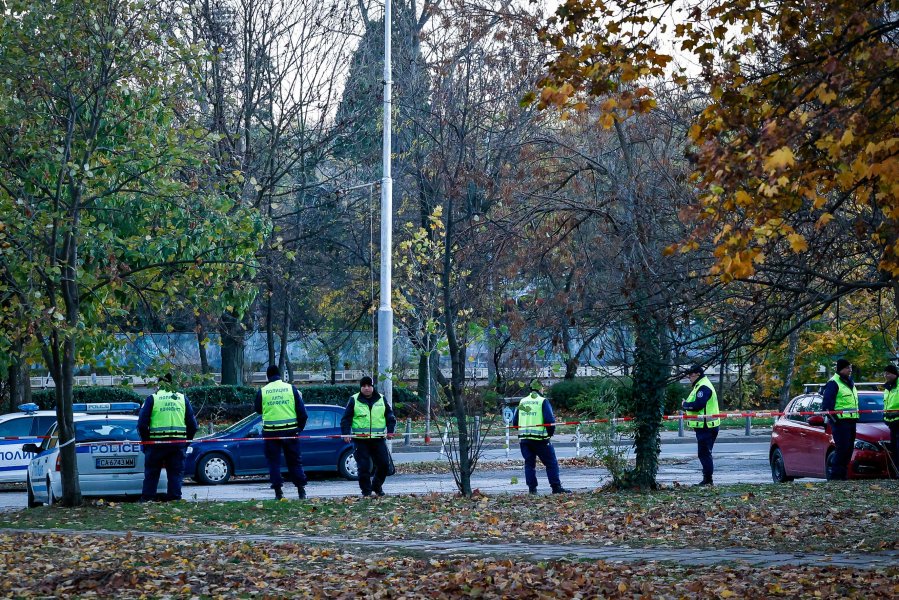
283 418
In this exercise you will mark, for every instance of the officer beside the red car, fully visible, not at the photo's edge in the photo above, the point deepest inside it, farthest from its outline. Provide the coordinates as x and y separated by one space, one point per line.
840 394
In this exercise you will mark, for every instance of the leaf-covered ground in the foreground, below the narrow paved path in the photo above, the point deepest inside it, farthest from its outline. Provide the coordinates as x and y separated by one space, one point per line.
51 565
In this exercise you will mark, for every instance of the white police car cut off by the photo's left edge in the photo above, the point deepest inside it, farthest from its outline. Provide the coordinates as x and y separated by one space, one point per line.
21 428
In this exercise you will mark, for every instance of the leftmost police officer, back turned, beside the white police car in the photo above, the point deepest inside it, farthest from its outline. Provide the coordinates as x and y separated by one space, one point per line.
166 420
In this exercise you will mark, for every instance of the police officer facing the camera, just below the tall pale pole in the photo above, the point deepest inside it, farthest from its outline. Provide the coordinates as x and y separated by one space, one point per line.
368 420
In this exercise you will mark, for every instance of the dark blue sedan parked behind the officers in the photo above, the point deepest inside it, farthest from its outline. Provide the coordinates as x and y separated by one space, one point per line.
216 458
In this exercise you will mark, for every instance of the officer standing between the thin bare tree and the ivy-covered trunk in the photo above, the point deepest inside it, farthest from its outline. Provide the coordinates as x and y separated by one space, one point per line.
533 418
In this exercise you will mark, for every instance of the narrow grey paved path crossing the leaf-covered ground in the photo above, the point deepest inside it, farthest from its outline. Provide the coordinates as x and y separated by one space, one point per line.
623 554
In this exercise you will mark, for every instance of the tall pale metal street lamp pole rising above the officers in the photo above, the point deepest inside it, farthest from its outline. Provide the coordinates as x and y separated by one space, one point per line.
385 309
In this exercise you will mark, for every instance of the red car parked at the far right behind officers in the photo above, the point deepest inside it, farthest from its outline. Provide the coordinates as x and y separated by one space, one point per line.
801 445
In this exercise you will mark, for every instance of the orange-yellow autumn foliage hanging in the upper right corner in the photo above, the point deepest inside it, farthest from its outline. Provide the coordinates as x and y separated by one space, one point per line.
796 130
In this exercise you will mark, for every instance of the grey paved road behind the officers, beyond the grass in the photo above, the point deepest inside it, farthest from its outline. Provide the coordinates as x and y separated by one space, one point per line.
734 463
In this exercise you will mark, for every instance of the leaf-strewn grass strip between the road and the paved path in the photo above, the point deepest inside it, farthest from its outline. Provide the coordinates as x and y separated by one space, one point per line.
820 517
